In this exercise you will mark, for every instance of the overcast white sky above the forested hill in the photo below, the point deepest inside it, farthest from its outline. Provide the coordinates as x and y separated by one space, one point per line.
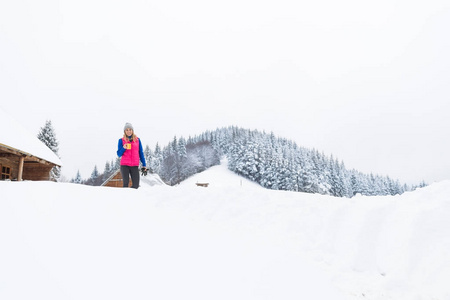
366 81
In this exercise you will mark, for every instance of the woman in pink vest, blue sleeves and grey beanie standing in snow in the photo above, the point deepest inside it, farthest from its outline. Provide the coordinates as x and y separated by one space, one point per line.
131 152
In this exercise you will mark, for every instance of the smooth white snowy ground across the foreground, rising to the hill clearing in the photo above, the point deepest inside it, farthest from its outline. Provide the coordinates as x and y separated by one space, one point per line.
232 240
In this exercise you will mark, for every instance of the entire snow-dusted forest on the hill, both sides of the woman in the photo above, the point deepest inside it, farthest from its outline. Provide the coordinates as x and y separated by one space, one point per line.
273 162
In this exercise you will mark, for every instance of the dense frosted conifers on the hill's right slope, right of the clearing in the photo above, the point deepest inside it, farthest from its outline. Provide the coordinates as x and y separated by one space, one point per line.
280 164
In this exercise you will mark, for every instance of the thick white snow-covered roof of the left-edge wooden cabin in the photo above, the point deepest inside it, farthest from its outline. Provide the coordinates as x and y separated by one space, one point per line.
16 137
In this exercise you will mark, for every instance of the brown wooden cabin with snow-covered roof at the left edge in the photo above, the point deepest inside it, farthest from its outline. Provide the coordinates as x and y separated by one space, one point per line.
22 155
